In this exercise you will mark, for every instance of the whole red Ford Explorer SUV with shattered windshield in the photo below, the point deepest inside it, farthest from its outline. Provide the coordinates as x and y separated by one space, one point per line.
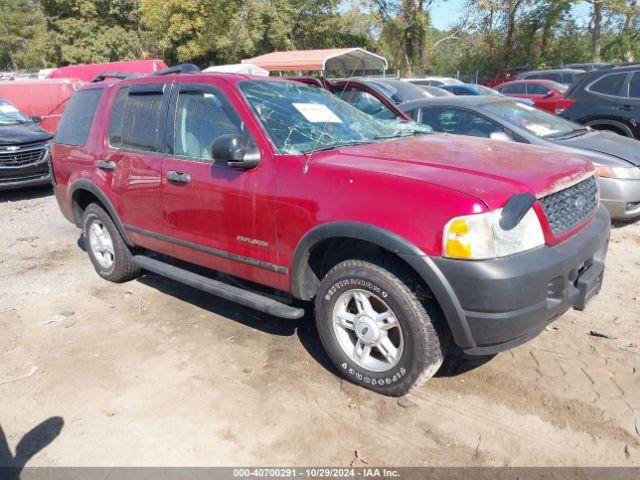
403 239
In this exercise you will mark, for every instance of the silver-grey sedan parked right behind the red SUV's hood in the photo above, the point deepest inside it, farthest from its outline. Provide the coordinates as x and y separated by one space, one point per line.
616 158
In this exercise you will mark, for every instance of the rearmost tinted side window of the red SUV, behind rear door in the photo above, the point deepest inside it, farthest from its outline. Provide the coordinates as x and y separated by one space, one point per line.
77 118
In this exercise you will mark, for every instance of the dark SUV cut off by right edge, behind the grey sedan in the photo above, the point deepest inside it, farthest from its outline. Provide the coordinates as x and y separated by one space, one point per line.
607 99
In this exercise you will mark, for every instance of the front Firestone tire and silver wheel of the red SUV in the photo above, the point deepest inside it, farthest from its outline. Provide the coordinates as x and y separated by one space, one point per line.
419 340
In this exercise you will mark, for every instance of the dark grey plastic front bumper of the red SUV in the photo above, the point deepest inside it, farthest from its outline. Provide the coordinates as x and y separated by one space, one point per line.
510 300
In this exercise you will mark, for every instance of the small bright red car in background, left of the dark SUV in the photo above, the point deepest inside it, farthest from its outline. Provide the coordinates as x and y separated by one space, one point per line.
546 94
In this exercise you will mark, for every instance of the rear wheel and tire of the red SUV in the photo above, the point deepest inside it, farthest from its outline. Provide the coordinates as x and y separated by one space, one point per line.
104 242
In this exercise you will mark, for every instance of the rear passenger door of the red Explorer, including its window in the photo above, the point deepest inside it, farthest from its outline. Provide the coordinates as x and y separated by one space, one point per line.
133 161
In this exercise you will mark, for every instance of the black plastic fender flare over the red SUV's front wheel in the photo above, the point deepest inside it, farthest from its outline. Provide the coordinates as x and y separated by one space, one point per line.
303 282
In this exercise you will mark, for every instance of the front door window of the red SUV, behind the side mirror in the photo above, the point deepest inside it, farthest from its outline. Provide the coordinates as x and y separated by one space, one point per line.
200 118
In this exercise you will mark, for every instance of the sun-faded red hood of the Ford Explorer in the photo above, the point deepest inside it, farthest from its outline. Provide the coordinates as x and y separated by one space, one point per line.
489 170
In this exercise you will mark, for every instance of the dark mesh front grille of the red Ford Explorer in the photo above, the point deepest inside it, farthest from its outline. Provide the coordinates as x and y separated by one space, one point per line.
567 208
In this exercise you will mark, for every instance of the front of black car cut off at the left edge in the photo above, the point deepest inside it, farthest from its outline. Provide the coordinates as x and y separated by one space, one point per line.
24 150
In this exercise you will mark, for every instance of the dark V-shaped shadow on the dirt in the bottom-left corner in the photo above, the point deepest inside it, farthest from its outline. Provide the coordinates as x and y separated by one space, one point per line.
34 441
